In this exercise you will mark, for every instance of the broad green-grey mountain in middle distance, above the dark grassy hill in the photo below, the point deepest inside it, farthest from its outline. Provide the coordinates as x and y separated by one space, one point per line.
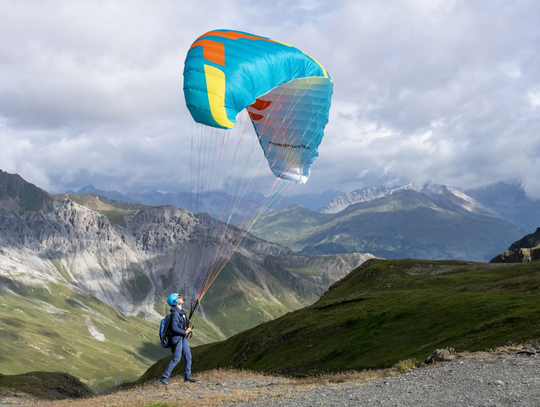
436 222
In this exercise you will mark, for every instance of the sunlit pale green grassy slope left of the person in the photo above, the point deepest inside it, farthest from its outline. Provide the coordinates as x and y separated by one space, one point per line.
48 331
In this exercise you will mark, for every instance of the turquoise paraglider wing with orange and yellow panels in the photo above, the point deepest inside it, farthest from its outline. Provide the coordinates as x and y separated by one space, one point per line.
286 92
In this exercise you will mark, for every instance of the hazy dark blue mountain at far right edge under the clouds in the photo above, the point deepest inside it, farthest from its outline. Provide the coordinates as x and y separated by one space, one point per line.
511 201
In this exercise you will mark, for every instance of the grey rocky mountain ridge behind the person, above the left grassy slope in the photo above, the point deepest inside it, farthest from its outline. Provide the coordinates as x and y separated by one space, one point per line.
131 258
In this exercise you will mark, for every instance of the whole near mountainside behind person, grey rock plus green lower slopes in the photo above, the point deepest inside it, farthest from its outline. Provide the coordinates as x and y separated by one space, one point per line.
66 255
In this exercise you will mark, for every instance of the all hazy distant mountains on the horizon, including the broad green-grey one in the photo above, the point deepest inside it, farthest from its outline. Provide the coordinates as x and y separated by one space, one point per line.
502 213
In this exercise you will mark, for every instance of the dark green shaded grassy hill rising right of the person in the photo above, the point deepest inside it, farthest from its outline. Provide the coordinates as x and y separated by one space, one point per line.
387 311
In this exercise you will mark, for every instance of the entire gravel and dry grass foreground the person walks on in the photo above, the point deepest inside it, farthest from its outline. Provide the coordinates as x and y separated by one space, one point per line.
487 380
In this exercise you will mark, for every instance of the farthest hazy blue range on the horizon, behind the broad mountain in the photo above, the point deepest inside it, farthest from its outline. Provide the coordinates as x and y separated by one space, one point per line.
507 200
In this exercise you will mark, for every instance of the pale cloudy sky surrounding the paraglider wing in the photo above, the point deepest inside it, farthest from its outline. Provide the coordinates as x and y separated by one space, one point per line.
440 90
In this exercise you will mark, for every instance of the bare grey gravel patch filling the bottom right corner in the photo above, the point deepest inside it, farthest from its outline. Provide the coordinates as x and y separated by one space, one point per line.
484 380
